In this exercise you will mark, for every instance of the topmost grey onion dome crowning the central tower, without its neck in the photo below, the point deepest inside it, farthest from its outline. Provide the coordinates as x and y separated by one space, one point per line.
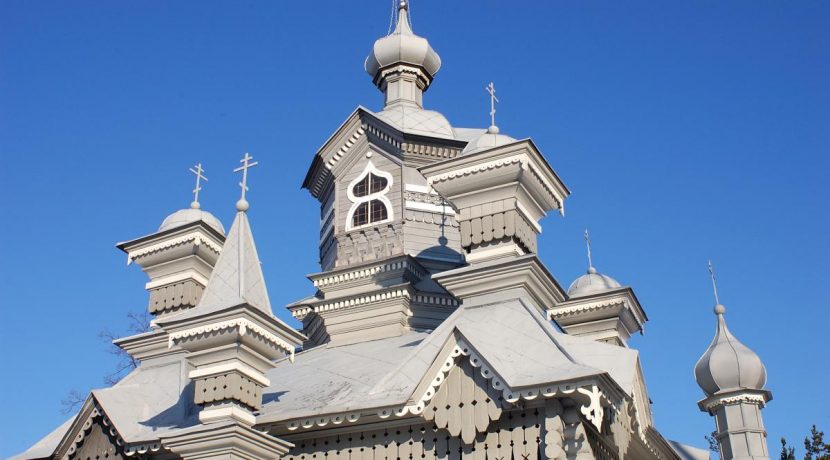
402 46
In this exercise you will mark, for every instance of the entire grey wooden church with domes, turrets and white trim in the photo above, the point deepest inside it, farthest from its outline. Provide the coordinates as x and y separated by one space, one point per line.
432 331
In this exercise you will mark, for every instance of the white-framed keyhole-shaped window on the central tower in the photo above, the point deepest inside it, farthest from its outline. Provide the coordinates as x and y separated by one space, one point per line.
367 192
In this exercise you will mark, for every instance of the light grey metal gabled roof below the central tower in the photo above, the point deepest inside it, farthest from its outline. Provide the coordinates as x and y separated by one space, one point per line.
521 348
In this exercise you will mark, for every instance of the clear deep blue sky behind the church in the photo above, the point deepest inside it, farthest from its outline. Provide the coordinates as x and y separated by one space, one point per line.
686 130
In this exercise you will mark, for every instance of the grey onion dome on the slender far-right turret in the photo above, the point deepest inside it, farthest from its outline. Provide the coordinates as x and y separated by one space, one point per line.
728 364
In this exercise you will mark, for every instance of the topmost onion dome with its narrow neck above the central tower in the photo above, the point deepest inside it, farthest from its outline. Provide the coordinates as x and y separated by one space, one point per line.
402 64
